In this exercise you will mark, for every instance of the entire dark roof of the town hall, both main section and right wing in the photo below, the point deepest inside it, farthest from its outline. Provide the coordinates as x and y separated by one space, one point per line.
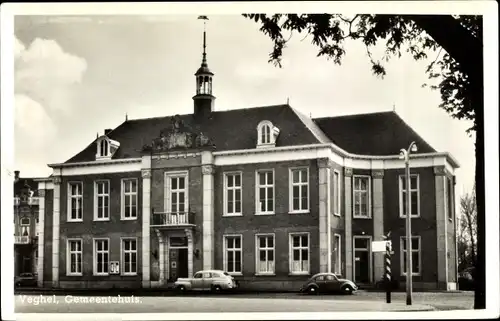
382 133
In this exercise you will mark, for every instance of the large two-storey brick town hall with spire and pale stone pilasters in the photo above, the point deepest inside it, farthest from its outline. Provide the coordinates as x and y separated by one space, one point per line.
266 194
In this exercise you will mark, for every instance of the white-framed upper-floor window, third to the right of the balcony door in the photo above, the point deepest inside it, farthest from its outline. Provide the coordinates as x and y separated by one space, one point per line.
299 190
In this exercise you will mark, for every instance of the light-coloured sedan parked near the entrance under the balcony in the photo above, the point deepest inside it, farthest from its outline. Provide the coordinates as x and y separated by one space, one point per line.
212 280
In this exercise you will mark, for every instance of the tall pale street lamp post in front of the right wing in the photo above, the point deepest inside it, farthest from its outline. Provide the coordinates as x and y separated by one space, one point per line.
405 155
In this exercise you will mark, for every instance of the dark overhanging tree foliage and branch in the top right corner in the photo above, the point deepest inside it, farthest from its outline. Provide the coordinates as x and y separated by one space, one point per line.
418 36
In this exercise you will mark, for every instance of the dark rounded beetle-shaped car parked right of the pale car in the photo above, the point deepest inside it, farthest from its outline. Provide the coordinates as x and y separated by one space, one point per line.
328 283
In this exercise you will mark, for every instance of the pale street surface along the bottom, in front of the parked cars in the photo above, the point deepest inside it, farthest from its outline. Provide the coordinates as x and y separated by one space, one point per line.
256 302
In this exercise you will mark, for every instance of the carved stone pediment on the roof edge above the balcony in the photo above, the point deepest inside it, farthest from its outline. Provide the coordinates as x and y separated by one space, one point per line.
179 136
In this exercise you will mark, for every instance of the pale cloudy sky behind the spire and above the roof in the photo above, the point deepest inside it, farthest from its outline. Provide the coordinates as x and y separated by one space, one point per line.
76 76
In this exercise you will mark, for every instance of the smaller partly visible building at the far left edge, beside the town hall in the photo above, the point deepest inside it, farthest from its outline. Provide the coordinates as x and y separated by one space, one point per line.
26 227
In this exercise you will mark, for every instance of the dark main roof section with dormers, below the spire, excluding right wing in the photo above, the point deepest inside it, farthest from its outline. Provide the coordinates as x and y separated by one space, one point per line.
228 130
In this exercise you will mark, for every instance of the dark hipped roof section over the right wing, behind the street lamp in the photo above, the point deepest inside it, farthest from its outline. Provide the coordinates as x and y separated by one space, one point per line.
377 134
